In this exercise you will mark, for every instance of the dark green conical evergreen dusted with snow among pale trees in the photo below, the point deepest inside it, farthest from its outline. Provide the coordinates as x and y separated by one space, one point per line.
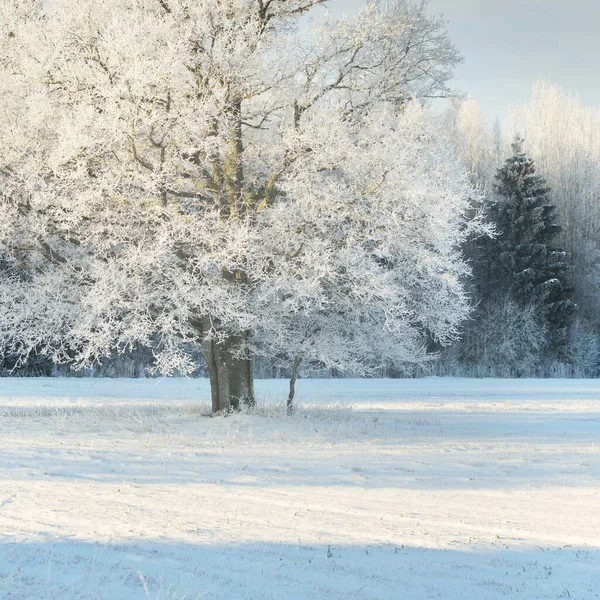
522 261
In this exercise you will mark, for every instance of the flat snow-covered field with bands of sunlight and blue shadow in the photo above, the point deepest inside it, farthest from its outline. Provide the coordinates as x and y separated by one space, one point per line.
380 489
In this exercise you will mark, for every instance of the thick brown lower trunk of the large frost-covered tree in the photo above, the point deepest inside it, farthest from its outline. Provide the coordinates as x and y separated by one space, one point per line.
231 377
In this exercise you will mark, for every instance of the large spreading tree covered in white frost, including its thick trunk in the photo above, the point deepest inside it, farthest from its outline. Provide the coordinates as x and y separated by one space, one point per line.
177 171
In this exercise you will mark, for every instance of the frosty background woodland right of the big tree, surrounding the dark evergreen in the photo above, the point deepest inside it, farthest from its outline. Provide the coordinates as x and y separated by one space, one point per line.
508 335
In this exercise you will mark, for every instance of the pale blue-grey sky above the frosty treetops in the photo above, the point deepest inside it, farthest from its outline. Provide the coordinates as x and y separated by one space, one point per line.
508 44
